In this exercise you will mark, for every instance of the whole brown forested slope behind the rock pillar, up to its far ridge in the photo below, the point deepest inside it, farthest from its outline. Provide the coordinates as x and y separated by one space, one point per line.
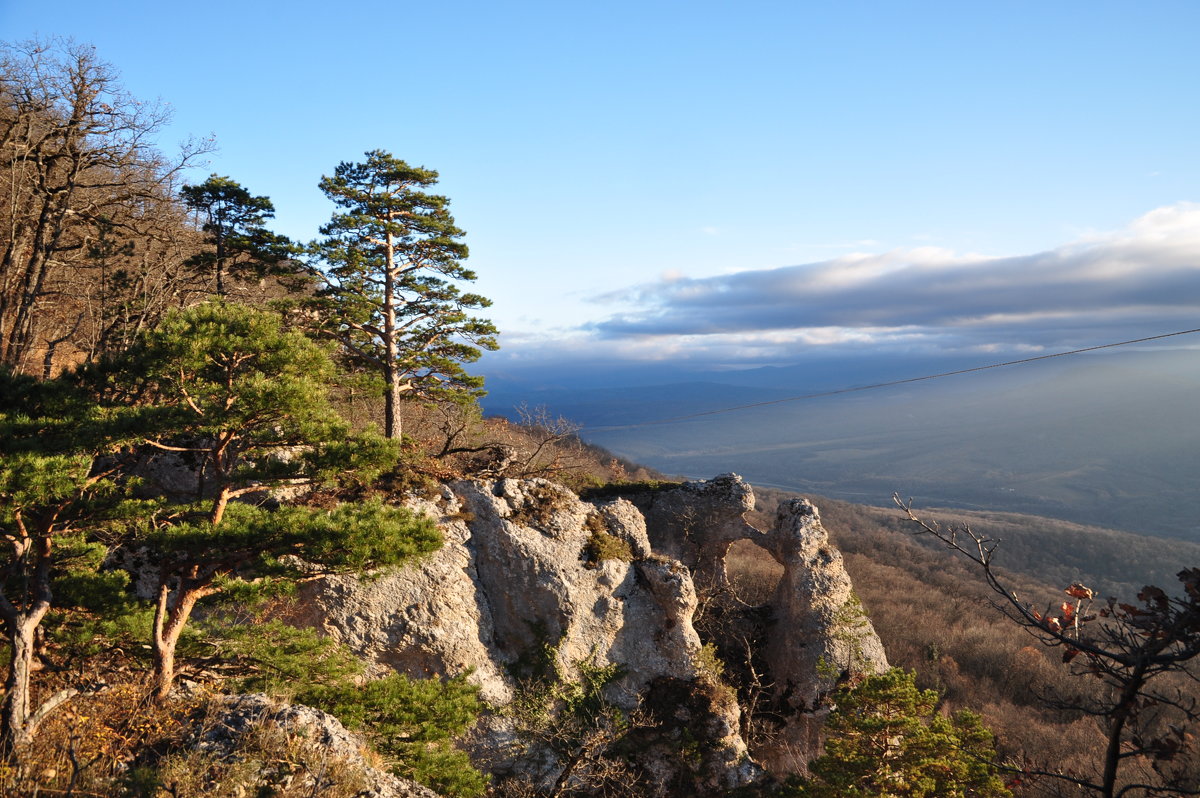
935 615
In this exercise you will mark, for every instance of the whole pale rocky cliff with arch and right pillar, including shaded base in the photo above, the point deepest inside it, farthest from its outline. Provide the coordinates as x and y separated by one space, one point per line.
536 587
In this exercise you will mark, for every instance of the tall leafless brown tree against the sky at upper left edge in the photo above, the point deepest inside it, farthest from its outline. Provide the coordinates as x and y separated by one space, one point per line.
77 166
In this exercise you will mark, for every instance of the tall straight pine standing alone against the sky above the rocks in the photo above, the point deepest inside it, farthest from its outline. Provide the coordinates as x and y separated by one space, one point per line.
391 259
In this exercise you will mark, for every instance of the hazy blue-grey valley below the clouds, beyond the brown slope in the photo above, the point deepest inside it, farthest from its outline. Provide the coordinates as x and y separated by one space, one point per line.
1107 440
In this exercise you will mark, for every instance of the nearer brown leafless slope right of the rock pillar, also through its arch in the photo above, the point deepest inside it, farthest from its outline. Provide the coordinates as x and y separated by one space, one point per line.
934 617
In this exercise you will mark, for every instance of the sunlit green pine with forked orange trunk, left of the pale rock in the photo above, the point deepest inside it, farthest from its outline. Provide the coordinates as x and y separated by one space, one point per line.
227 386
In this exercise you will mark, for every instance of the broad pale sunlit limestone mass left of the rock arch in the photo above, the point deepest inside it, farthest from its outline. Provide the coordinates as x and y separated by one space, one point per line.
512 595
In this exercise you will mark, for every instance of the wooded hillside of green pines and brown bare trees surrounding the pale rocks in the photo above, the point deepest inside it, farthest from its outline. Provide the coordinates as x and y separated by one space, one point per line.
201 415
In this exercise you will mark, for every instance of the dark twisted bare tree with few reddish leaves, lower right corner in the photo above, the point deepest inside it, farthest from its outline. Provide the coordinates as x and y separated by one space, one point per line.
1142 655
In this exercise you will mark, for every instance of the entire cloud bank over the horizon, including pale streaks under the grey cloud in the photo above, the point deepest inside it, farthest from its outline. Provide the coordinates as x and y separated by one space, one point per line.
1136 283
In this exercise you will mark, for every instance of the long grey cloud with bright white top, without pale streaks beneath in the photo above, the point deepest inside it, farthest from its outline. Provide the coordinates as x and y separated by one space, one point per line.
1155 263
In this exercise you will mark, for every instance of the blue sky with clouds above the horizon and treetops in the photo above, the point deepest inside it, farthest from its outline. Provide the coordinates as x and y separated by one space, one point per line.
724 184
